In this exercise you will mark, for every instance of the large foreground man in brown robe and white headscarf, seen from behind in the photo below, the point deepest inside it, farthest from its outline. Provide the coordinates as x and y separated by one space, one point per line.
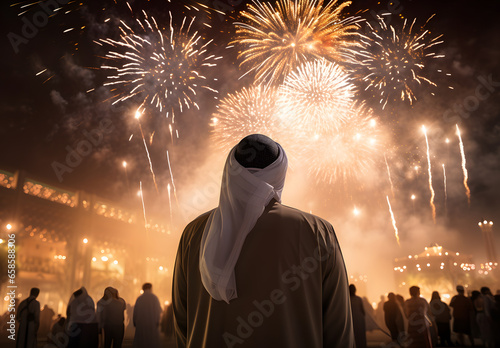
255 273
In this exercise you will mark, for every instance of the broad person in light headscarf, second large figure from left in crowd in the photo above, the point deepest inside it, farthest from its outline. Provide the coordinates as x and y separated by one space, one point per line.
81 321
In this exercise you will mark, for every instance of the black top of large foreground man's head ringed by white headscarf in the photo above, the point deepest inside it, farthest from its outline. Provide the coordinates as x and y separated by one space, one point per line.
256 151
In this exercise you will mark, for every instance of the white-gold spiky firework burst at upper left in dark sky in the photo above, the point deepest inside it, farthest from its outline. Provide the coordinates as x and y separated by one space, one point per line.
164 69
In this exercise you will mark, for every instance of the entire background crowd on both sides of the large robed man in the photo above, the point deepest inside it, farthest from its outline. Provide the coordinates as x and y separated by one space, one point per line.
471 319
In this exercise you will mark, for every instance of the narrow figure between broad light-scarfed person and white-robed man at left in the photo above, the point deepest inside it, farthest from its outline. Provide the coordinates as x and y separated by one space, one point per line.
110 315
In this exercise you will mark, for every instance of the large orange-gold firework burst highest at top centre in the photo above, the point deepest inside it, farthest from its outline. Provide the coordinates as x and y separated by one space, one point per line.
274 40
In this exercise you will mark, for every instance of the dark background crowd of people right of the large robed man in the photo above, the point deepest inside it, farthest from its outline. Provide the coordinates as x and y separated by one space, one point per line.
471 320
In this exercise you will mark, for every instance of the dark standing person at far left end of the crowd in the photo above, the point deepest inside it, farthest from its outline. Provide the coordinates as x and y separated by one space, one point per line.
28 315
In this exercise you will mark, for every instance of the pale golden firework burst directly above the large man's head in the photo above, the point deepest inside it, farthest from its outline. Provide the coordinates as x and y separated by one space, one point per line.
248 111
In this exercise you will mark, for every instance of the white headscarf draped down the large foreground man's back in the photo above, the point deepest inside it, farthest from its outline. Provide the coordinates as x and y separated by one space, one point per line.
244 194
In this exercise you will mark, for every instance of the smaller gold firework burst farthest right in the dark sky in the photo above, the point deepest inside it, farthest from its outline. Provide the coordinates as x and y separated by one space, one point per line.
393 64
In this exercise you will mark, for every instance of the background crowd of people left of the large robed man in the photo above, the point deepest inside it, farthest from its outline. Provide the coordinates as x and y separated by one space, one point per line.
92 325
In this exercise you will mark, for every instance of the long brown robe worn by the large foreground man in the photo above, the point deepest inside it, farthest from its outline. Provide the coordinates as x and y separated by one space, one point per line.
291 283
